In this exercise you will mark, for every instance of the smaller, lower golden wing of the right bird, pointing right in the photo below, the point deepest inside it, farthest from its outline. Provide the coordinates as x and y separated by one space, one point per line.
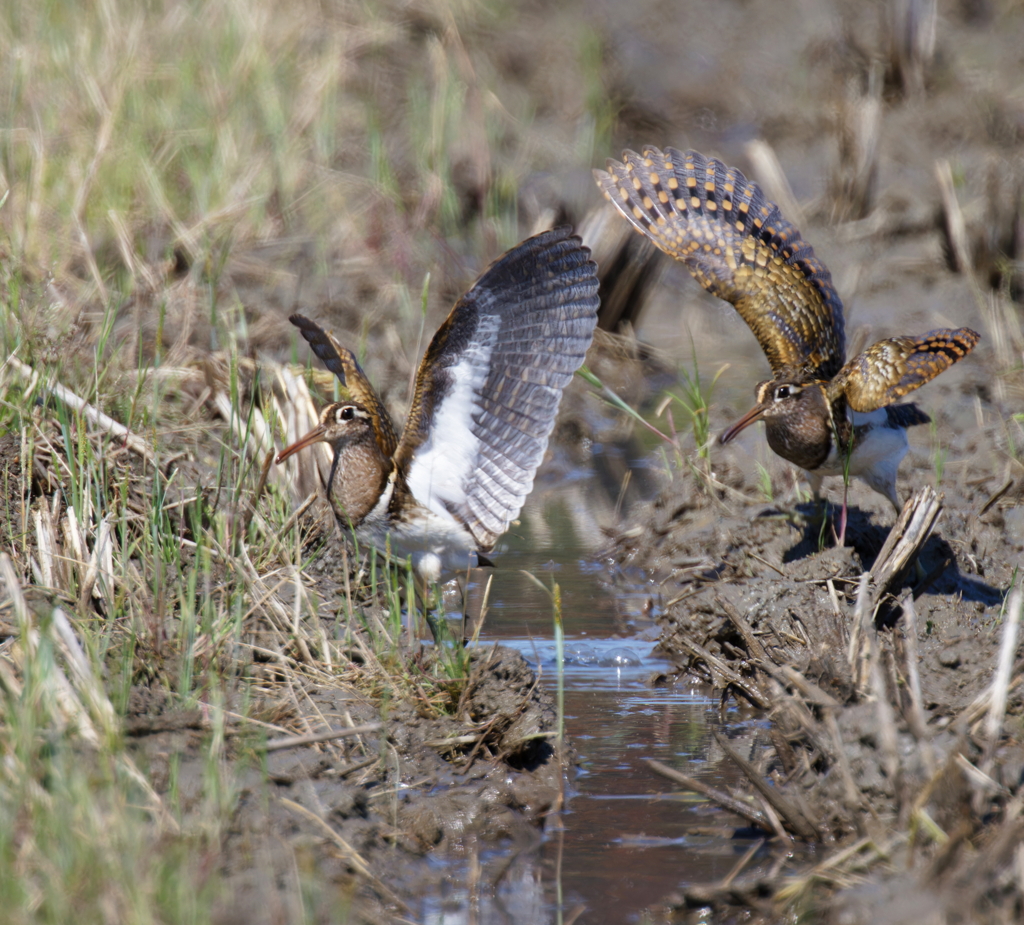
890 369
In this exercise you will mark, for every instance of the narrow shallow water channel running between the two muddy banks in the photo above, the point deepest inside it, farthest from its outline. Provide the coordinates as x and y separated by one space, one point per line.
623 844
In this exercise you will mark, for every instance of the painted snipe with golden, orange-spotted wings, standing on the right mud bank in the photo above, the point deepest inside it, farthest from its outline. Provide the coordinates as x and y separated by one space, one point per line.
824 413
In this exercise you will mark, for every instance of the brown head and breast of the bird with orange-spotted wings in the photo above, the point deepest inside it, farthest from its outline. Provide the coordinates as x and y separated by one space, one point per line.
797 421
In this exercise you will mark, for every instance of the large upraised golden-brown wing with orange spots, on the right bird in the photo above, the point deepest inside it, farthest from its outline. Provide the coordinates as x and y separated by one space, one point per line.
738 245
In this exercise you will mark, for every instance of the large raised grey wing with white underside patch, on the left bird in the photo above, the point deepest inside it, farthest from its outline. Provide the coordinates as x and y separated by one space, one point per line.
489 387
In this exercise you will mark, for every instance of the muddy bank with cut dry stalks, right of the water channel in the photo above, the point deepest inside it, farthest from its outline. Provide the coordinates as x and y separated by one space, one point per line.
889 750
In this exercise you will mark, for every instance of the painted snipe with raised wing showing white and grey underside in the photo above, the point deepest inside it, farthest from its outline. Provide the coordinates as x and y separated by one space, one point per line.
484 407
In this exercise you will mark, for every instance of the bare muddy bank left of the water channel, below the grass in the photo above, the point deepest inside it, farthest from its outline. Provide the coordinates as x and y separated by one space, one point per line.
350 823
